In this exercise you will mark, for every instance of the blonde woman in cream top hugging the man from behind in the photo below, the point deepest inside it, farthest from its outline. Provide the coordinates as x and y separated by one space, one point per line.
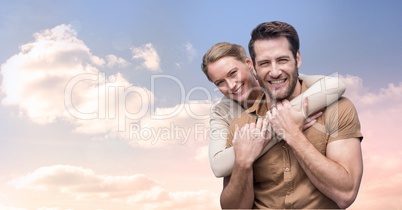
229 68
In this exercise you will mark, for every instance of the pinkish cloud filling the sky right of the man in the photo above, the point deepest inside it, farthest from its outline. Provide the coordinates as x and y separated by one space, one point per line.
379 114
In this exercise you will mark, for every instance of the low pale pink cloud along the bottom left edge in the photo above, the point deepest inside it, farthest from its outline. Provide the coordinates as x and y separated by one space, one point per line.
76 185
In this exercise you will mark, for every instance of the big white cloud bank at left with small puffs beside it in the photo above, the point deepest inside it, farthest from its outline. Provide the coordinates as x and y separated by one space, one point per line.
57 78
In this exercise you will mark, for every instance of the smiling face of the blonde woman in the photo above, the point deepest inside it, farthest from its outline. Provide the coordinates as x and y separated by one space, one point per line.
233 77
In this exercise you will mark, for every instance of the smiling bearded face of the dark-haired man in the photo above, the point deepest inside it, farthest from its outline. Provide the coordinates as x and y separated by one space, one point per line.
276 68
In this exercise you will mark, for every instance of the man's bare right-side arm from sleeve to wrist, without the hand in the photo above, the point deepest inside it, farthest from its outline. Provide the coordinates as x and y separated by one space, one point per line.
338 174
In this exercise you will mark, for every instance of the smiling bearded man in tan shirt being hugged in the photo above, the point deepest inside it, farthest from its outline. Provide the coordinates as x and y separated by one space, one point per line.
320 167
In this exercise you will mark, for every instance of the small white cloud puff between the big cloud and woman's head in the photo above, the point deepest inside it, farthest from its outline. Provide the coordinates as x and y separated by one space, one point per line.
148 54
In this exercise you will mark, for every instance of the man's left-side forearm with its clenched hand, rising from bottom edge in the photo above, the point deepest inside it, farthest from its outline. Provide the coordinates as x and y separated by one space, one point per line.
238 189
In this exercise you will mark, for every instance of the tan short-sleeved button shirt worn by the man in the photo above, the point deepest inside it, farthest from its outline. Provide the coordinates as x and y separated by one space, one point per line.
279 180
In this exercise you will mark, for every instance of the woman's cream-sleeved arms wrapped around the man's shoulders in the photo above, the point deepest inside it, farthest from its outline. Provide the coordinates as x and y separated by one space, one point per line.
320 94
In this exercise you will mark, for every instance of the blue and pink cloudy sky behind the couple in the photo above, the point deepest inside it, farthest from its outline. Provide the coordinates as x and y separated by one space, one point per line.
103 104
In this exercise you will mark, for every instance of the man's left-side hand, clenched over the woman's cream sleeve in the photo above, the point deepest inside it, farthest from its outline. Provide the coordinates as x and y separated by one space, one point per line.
249 141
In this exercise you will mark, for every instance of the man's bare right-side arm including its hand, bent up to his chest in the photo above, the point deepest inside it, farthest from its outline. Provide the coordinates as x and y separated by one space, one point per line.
338 174
